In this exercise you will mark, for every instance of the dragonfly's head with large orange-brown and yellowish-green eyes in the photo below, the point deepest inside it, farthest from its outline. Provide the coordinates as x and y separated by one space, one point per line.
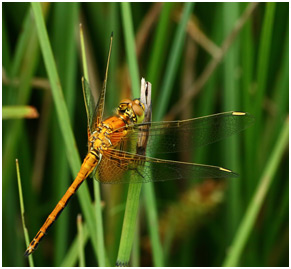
132 109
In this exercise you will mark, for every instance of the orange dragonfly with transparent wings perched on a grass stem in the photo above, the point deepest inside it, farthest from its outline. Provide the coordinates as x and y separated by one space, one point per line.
113 156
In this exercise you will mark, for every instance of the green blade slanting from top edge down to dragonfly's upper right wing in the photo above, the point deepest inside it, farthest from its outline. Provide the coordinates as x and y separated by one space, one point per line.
172 66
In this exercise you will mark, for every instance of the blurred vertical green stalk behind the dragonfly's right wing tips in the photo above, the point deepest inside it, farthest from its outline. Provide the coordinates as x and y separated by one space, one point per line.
231 102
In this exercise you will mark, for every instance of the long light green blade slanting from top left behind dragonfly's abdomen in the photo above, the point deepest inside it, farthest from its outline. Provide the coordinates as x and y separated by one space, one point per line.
64 121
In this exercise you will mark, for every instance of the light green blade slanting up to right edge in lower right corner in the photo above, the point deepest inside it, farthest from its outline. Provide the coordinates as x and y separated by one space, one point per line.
247 224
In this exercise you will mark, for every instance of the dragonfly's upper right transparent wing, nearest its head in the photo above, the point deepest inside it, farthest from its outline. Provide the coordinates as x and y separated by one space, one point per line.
175 136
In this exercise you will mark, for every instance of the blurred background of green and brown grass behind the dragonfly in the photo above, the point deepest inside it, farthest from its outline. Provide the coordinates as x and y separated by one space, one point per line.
201 59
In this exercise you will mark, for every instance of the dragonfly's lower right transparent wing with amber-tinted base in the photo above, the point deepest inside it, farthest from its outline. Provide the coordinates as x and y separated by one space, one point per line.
122 167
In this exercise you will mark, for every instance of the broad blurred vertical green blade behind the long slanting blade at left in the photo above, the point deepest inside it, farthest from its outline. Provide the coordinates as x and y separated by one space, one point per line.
65 19
